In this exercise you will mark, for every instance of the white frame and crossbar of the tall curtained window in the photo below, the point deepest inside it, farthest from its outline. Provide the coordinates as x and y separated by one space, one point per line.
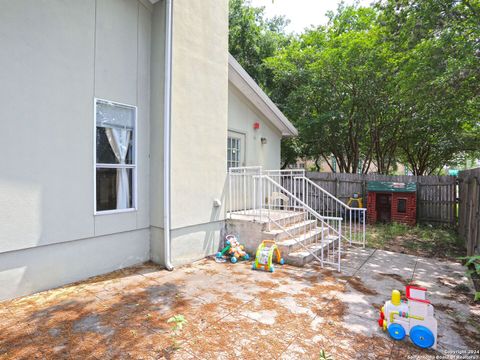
115 166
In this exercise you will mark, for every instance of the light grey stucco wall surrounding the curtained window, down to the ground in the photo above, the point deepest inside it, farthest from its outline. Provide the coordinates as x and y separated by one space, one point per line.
61 55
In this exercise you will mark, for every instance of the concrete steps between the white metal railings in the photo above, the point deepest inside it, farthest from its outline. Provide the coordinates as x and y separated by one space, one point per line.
298 231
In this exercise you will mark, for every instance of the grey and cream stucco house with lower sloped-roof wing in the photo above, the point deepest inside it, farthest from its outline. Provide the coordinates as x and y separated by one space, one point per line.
117 120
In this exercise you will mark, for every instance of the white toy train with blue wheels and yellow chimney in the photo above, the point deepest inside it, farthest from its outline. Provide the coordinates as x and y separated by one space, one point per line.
413 317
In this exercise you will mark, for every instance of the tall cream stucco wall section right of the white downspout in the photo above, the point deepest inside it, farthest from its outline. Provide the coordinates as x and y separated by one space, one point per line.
198 127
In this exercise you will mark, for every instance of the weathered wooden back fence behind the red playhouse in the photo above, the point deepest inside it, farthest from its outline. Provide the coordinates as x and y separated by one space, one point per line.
436 195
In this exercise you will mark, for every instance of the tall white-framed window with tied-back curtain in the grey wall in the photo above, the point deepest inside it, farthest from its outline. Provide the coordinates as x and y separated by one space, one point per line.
115 157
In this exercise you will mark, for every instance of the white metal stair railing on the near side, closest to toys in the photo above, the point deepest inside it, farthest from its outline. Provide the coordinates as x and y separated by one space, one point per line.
318 235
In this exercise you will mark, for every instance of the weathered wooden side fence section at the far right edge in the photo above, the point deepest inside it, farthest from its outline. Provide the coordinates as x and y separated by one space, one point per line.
469 209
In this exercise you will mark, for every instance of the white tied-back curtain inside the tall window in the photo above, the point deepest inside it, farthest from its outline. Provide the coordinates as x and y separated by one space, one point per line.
119 140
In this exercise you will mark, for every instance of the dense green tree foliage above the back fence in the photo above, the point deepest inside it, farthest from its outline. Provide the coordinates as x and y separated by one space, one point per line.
397 81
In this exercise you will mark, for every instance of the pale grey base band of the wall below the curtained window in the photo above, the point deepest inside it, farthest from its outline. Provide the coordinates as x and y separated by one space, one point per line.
31 270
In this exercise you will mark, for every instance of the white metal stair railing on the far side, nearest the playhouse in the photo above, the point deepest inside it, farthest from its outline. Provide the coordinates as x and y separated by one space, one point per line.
327 204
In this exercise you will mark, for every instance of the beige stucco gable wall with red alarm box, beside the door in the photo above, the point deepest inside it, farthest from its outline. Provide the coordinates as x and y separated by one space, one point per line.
241 117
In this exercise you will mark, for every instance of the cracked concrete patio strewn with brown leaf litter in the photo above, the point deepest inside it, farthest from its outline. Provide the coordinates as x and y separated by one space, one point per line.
234 312
